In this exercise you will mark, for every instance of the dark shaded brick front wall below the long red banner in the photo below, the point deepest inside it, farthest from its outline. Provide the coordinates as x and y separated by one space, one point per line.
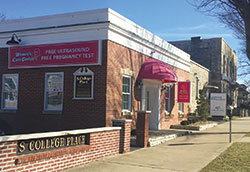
76 113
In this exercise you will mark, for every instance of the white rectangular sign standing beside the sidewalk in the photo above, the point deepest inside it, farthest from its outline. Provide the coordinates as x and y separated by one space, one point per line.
218 104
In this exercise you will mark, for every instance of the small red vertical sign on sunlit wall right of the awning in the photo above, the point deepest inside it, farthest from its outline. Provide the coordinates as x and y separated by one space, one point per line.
183 92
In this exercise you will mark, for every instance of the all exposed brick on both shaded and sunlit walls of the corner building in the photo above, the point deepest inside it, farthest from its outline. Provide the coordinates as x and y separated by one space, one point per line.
117 61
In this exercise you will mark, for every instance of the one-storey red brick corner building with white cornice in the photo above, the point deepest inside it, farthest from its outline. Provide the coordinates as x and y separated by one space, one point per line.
46 86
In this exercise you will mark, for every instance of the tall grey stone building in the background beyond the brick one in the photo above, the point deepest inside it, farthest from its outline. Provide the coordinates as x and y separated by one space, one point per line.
217 56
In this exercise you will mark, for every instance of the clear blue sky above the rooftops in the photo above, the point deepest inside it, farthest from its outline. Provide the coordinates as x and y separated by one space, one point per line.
170 19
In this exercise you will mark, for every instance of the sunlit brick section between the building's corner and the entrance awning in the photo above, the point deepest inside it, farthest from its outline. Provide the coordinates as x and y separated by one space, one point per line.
121 57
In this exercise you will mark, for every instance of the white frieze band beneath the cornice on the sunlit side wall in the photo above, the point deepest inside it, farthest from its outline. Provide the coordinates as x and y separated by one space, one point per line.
164 51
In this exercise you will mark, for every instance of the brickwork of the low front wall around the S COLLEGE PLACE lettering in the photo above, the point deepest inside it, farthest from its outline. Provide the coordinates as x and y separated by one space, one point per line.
102 144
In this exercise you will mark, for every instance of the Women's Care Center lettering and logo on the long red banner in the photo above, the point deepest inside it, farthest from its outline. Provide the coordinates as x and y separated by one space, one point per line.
28 56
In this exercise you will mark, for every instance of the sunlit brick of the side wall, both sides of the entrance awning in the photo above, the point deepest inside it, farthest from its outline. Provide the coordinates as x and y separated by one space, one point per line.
122 57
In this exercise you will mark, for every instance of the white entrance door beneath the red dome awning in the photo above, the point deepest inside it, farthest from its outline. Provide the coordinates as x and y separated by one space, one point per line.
152 103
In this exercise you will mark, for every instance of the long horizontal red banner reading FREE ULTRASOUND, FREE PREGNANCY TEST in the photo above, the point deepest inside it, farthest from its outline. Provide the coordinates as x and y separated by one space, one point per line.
54 55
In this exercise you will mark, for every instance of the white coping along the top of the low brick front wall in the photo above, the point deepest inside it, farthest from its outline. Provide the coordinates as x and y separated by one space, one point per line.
54 134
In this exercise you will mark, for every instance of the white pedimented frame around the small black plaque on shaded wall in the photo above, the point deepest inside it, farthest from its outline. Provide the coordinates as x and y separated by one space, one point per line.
81 72
